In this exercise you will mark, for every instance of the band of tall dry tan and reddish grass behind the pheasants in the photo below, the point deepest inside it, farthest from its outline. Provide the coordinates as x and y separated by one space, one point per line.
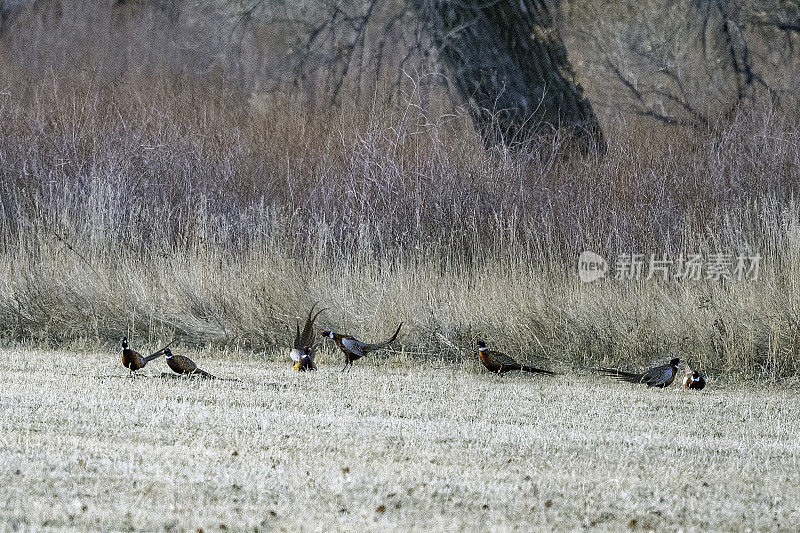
151 206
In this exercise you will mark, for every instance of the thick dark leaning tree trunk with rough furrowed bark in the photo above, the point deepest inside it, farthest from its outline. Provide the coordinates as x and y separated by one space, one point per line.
509 64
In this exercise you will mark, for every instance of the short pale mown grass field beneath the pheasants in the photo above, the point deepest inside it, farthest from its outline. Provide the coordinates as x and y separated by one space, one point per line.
388 446
